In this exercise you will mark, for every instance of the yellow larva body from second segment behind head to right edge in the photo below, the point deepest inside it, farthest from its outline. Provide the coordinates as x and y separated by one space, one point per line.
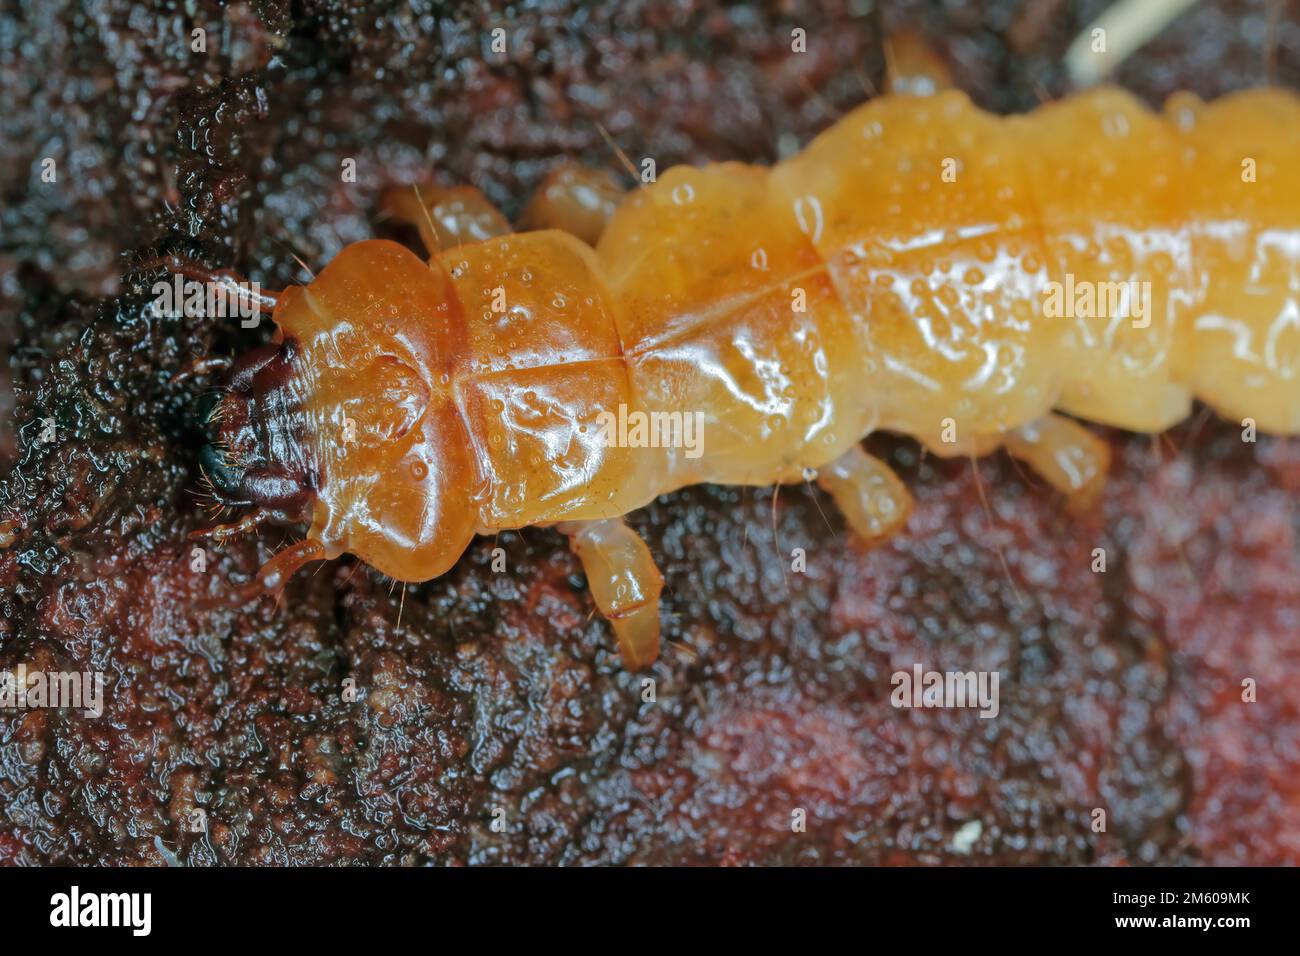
956 248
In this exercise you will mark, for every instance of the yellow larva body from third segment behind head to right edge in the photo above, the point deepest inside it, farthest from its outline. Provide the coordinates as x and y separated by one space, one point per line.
952 278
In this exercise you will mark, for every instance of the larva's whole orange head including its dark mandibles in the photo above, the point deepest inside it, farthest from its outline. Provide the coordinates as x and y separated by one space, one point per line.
352 417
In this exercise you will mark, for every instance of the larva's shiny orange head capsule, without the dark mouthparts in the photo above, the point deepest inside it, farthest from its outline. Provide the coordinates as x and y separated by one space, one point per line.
378 340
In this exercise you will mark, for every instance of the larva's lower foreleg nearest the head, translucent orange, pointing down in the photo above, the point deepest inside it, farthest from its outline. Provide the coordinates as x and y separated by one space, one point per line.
625 583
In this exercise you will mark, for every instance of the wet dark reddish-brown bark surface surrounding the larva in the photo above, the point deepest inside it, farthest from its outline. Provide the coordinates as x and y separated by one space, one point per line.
502 691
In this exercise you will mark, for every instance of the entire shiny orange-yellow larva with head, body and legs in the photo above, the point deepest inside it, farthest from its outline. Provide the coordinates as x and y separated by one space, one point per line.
892 276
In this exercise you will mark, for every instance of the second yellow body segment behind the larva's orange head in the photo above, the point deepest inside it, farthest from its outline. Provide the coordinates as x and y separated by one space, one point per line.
726 309
